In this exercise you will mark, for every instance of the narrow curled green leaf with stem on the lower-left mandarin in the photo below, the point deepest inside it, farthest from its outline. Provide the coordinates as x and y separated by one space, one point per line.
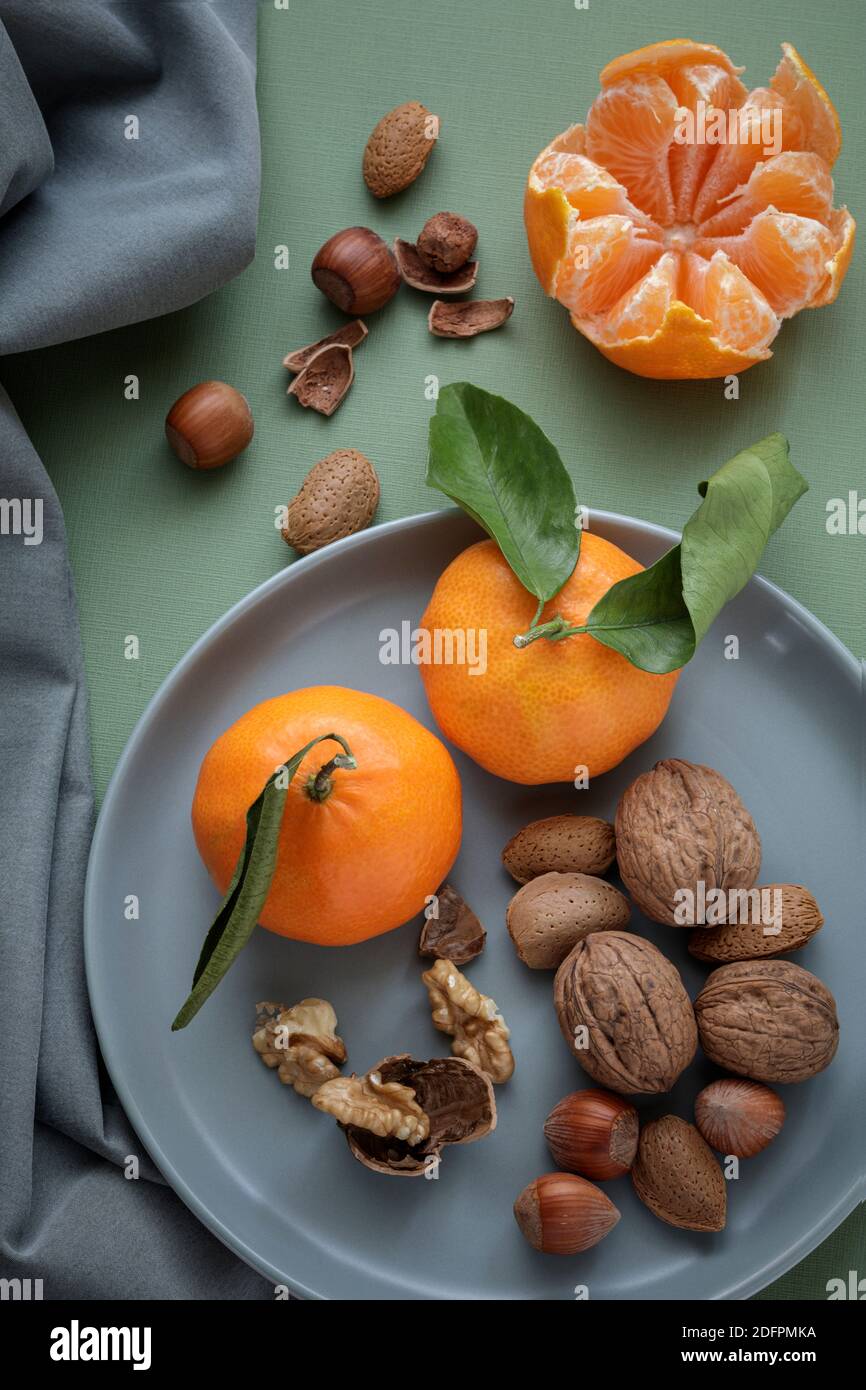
251 883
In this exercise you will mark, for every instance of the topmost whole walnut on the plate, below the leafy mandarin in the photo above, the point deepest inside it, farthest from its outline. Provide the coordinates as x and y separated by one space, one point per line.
678 826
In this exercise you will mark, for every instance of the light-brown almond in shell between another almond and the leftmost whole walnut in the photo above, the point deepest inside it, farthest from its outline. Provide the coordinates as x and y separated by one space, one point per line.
550 915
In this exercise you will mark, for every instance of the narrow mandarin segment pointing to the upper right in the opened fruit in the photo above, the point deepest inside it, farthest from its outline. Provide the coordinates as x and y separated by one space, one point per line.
762 115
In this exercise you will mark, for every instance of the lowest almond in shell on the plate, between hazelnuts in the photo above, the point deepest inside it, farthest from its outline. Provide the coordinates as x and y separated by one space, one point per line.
678 1177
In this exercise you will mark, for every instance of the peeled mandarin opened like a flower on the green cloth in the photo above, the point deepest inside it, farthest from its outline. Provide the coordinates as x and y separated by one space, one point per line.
689 218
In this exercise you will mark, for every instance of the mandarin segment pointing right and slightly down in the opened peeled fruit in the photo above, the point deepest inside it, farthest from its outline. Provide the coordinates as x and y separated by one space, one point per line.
787 256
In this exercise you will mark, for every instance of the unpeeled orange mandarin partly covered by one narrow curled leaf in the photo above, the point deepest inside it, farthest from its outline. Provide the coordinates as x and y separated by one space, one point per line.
361 850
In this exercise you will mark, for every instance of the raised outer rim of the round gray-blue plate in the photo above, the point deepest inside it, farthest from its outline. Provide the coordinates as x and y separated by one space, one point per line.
846 660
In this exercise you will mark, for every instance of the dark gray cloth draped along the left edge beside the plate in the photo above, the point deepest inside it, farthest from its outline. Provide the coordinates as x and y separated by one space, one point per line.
97 230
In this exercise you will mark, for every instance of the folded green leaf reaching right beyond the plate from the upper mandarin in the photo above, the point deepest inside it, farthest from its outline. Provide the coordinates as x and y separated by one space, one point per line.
658 618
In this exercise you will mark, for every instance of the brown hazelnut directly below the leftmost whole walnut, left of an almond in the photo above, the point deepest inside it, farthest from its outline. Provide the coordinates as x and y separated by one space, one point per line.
593 1134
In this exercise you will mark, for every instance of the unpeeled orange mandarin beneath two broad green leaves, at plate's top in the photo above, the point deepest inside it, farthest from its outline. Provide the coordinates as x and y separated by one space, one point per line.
539 714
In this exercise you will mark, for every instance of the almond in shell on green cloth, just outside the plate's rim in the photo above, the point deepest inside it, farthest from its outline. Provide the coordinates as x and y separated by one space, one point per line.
337 498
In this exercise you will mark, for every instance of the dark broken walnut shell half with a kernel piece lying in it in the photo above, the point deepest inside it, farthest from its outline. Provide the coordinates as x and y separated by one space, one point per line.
454 1095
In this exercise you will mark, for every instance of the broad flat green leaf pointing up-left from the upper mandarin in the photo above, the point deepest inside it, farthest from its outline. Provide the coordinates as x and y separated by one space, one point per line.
494 462
